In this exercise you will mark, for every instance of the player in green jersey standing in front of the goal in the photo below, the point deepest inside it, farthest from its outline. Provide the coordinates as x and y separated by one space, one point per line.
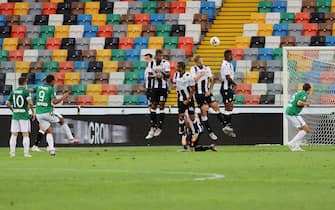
295 106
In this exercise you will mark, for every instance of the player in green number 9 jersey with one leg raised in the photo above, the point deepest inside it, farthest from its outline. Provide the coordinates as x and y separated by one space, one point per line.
45 100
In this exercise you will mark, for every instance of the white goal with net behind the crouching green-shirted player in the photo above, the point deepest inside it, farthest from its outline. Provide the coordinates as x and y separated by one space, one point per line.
314 65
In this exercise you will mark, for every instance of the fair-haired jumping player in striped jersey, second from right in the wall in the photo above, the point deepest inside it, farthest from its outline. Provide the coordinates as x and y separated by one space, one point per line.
203 94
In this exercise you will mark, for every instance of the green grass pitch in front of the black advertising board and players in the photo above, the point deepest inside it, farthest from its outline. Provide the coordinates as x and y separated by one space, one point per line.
159 178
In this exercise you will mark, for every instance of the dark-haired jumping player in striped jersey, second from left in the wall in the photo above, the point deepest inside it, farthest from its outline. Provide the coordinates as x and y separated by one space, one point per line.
160 87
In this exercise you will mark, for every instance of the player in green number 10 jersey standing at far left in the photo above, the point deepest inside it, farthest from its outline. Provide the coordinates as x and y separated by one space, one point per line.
20 102
